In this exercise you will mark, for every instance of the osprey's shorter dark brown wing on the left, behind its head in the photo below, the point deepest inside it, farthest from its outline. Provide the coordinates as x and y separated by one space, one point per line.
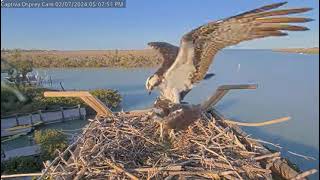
168 53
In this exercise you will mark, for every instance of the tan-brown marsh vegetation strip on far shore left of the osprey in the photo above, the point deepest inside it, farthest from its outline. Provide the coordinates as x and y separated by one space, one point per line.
72 59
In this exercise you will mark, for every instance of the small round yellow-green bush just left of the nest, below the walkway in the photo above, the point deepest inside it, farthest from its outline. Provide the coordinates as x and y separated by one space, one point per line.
50 140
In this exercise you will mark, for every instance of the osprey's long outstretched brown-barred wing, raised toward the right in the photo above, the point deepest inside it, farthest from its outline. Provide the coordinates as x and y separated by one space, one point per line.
258 23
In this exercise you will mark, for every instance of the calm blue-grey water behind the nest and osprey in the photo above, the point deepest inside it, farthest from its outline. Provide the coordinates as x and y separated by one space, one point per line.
288 85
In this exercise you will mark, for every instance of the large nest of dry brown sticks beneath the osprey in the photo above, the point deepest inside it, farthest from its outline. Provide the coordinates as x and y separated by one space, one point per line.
134 147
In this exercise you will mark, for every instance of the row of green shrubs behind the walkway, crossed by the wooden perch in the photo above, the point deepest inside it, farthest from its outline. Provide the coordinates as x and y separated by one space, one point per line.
35 100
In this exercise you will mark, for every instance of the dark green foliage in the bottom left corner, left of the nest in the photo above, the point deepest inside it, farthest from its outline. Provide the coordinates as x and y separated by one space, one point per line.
27 164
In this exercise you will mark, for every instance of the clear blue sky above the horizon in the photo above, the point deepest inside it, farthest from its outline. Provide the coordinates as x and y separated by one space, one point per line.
140 22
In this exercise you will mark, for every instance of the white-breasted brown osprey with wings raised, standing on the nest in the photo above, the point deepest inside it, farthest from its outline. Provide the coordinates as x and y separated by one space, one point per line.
185 66
